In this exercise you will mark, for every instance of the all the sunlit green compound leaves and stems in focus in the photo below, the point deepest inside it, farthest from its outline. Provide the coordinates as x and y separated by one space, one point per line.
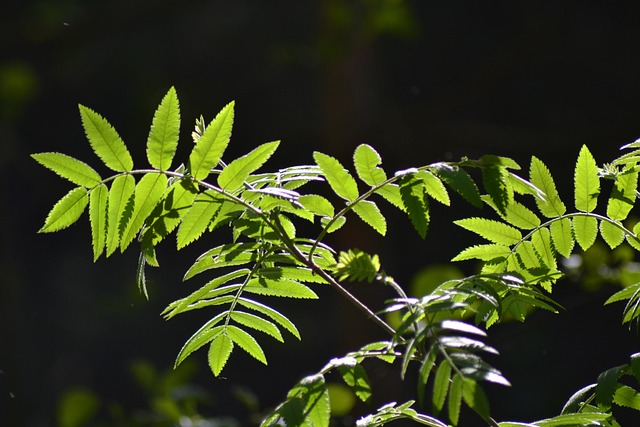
265 257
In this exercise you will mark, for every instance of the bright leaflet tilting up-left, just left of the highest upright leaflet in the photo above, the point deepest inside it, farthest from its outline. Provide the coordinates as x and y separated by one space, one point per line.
105 141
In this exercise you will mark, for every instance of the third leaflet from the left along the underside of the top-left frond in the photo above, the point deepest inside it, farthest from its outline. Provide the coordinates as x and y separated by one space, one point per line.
120 208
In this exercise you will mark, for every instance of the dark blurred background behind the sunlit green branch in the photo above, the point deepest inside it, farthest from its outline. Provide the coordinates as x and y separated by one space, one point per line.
421 81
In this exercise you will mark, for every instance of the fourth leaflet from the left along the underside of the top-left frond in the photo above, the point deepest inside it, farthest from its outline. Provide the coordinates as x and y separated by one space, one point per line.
148 193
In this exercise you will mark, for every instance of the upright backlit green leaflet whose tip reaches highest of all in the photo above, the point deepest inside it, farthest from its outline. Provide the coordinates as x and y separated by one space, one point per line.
164 133
